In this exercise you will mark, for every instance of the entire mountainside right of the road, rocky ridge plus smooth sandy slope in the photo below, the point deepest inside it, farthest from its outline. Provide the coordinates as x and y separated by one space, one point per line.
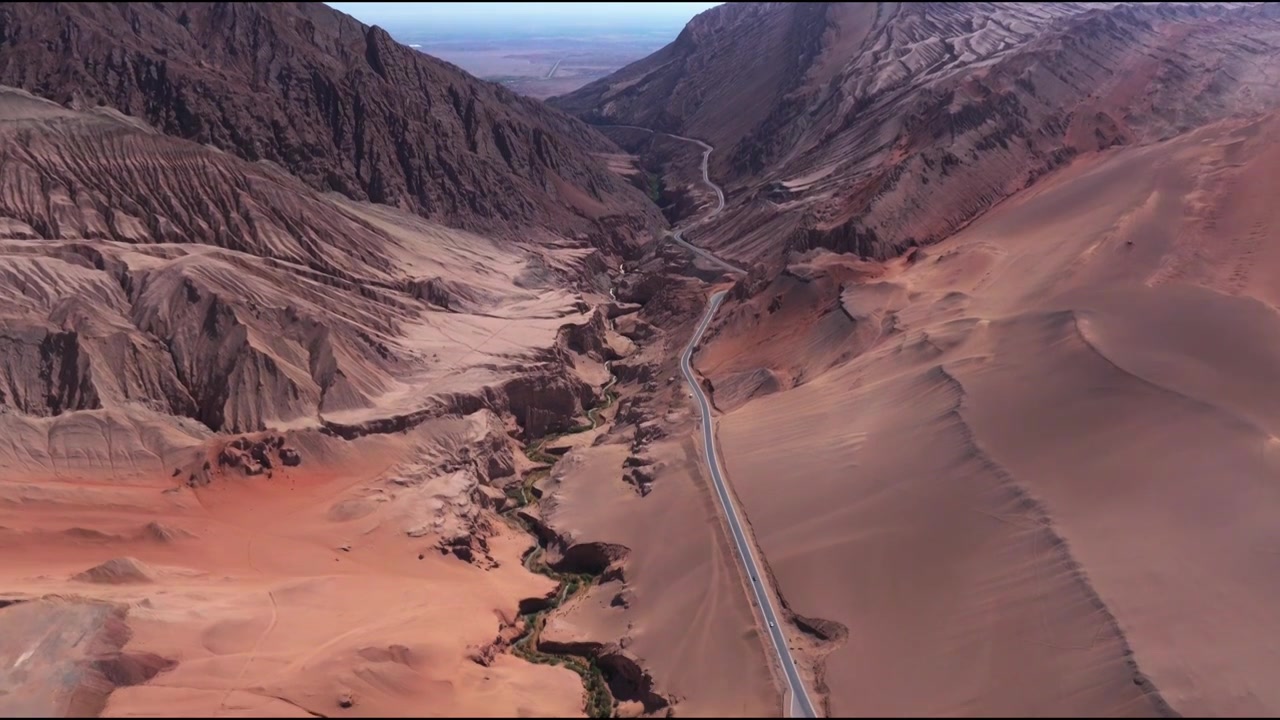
999 407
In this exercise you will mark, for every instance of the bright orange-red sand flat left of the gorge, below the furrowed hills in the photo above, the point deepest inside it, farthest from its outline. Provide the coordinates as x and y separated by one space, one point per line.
284 596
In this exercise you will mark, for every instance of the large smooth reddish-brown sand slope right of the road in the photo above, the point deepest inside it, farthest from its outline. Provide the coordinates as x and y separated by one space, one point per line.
1045 485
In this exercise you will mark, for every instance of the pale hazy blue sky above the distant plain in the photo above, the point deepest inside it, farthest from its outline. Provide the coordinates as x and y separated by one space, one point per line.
508 15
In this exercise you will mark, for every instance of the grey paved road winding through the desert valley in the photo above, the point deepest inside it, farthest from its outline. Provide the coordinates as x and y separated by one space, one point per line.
799 704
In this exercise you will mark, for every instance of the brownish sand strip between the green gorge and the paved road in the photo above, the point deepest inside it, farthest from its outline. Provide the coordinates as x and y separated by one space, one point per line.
687 618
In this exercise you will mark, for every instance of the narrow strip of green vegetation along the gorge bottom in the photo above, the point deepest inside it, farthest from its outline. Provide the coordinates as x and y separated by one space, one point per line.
600 701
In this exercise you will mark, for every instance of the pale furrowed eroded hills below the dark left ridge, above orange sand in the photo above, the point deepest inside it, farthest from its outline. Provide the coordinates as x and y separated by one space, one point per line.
295 308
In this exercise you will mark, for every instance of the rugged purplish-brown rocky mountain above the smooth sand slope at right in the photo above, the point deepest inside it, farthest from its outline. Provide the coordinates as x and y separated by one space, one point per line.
876 127
